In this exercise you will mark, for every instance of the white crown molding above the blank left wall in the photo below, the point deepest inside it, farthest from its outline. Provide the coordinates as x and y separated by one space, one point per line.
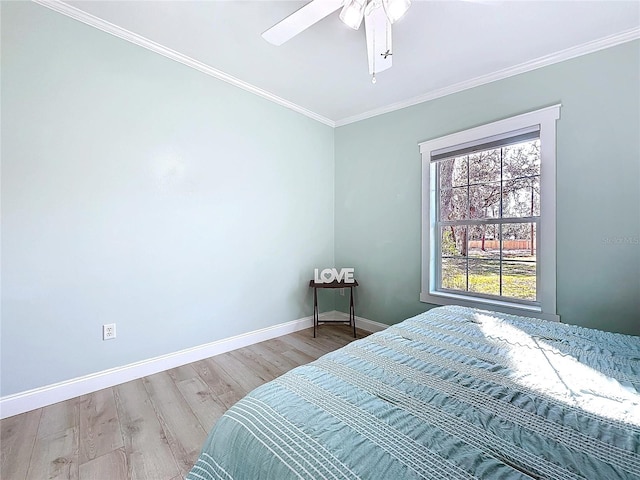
108 27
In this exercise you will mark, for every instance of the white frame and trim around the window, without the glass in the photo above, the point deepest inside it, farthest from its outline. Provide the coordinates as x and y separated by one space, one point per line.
545 306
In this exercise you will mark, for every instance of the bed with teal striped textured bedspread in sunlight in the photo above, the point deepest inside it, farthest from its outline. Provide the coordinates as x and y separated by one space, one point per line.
453 393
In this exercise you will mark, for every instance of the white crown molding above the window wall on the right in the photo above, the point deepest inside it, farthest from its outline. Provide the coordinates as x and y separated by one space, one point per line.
567 54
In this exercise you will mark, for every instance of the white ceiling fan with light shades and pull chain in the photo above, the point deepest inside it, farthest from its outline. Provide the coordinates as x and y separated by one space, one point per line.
378 16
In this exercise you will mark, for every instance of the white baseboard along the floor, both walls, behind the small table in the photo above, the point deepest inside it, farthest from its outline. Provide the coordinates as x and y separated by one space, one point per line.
40 397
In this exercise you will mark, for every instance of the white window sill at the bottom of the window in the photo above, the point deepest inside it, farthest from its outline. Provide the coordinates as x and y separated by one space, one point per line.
442 298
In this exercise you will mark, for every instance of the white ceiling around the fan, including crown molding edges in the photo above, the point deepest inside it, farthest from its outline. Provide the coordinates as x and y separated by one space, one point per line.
438 47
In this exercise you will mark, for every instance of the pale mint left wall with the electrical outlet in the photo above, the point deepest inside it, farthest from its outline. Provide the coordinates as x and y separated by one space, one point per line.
139 191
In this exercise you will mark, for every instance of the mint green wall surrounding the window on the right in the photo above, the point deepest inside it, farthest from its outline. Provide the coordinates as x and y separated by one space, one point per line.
378 191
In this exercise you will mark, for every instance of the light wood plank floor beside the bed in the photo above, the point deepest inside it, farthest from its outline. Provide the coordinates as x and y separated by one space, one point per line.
151 428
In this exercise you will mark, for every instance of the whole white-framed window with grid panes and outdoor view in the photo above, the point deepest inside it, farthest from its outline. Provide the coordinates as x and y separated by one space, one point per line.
489 216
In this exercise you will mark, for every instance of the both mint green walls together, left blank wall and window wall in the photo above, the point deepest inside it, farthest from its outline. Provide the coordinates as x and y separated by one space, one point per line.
138 191
